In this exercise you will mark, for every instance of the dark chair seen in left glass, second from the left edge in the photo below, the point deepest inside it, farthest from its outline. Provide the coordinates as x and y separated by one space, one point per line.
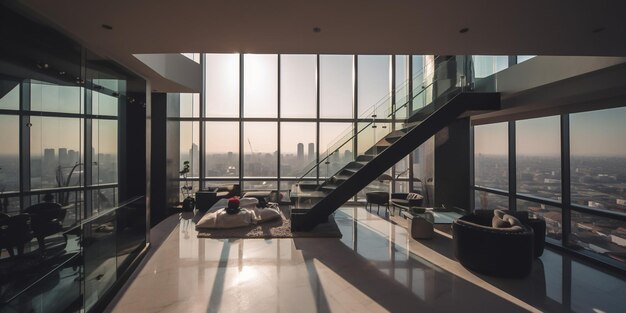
47 220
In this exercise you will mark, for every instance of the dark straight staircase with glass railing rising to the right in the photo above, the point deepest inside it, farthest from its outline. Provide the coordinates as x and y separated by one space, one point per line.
315 203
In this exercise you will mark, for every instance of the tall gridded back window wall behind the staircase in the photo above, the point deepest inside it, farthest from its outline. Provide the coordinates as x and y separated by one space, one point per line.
266 120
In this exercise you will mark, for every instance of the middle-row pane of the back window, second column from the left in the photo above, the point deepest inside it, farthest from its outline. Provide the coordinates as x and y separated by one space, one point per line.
222 149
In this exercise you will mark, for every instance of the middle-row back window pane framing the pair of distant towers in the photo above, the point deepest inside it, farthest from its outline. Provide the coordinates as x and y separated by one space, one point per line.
297 148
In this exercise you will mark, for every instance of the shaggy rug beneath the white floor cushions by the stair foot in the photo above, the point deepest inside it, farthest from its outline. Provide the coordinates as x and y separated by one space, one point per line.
273 229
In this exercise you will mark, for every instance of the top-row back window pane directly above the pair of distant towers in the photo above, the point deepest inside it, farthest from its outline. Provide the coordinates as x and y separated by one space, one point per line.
298 86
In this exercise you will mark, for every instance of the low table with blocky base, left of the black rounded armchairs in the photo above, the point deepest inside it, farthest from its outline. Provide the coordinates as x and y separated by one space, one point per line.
423 220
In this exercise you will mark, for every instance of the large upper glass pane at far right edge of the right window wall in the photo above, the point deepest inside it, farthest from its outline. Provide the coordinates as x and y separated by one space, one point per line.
598 159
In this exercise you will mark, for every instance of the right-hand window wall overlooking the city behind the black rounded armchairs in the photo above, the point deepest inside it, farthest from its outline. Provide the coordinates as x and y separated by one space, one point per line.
570 169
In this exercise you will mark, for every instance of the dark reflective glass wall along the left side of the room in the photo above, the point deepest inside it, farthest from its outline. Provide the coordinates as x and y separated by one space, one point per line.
68 229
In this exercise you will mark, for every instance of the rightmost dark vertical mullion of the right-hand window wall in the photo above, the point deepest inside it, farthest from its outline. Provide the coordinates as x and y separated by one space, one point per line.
566 193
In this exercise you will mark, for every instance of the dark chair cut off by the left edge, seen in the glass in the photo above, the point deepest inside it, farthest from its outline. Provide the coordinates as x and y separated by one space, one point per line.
15 232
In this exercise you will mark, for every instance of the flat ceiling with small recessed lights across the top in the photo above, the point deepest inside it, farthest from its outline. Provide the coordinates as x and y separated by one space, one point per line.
547 27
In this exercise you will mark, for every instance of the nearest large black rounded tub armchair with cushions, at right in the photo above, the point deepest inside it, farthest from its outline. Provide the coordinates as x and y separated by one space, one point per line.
502 252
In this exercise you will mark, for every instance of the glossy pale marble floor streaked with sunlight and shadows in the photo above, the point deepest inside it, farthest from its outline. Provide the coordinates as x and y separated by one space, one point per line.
374 267
